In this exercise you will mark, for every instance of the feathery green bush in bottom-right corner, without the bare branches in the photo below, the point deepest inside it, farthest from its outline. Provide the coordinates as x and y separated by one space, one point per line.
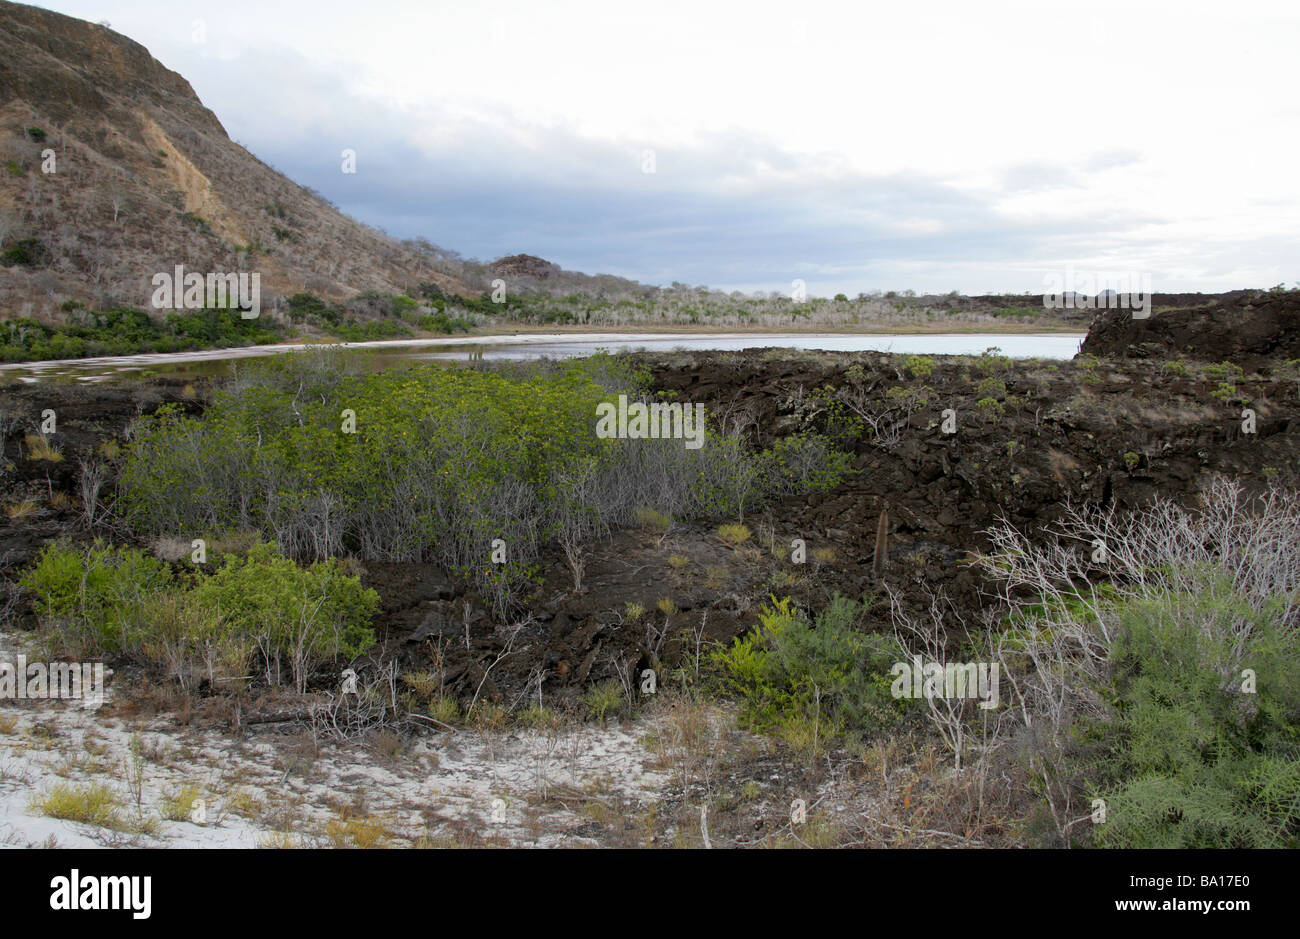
1185 758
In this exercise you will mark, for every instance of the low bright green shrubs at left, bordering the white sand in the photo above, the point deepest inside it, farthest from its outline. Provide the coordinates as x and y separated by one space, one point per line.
262 612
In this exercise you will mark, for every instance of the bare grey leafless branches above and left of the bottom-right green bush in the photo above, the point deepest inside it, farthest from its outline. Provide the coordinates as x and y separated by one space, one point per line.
1072 574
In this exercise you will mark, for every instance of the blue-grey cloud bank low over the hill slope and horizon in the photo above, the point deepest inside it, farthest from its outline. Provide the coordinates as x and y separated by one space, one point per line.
704 218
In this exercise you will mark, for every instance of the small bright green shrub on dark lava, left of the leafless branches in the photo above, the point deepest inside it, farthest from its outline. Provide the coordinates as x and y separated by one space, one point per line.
791 670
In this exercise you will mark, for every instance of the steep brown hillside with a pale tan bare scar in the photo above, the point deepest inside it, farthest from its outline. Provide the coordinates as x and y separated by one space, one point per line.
148 179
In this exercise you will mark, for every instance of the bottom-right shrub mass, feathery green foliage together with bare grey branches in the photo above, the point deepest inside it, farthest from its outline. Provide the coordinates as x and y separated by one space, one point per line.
1173 691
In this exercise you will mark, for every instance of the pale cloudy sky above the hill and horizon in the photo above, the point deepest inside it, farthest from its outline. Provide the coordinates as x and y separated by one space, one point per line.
981 148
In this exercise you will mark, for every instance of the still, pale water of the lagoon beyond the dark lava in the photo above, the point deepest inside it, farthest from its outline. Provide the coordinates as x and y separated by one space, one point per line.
556 347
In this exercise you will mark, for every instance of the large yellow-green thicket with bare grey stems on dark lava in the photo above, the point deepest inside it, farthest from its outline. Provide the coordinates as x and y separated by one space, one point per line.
443 462
